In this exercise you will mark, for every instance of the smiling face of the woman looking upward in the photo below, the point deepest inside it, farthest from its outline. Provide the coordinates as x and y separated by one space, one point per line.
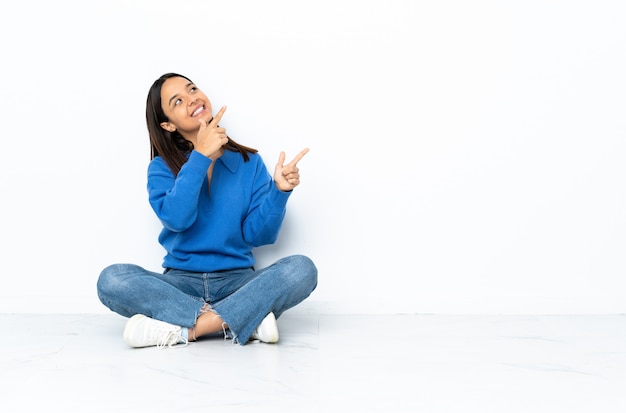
184 104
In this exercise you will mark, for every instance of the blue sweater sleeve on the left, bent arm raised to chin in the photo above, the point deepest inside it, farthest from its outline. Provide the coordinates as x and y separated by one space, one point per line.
174 199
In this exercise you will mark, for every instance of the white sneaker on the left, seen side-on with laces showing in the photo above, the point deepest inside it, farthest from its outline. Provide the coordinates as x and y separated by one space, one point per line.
142 331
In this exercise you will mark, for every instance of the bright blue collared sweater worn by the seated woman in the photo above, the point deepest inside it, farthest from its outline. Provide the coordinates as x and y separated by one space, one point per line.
211 230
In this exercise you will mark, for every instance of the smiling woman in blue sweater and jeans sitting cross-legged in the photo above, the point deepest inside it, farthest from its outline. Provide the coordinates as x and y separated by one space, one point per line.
216 202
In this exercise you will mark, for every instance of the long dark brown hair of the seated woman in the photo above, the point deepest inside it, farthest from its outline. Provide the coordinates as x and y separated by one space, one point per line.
171 145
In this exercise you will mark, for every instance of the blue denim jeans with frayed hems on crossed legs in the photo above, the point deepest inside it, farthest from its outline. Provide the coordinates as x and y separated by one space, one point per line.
242 298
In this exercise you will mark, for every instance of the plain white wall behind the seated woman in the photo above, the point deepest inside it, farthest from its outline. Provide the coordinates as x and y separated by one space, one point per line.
466 157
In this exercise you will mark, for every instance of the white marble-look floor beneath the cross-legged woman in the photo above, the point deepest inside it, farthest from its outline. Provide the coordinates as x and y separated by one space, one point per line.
355 363
